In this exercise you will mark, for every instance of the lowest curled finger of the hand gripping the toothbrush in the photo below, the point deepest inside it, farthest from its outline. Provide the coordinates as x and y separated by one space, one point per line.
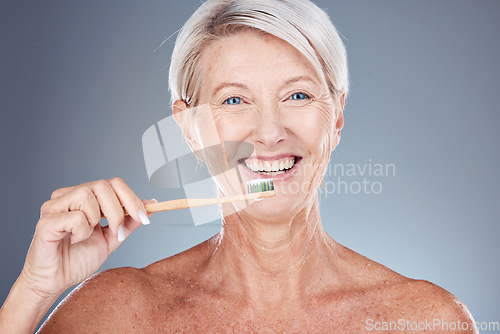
55 227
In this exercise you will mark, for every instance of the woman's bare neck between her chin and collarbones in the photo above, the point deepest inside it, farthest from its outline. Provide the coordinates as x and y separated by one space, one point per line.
272 263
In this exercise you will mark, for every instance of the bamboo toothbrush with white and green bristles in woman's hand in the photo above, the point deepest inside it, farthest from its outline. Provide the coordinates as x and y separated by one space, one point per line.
256 189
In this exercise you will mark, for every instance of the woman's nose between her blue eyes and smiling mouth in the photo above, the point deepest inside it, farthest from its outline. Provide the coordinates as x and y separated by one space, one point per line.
269 130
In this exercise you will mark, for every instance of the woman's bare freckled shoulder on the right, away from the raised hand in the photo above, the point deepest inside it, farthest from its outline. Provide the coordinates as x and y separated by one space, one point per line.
391 297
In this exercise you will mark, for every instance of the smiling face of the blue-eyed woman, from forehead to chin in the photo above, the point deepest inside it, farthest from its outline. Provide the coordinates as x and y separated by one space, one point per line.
258 89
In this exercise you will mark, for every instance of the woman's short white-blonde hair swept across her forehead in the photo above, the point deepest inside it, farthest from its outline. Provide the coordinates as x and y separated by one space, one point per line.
300 23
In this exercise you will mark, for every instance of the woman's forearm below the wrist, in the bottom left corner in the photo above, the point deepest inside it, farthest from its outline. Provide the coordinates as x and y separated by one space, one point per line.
23 309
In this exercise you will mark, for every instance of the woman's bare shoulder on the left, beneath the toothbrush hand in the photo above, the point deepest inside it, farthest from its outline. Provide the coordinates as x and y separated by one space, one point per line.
128 298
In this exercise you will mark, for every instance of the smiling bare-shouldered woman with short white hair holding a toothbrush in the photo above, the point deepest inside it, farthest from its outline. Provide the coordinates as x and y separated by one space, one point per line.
272 74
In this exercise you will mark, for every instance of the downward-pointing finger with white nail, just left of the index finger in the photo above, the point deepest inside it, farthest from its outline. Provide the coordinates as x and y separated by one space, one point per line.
109 204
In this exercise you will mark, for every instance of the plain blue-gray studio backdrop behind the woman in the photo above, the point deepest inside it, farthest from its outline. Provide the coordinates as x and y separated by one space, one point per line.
82 80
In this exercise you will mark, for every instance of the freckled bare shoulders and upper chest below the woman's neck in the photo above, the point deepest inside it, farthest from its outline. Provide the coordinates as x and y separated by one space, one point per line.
182 295
